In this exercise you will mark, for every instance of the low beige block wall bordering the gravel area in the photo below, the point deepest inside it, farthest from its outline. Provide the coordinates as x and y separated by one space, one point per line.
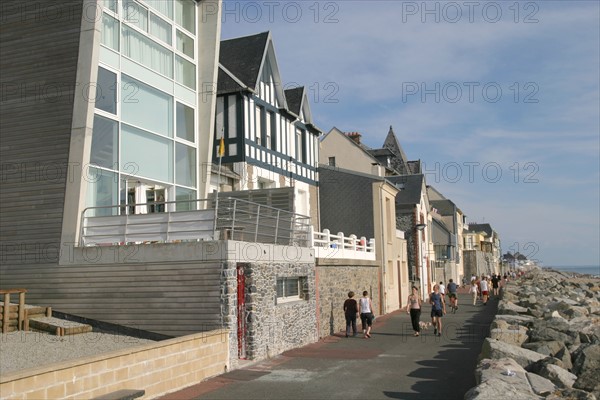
158 368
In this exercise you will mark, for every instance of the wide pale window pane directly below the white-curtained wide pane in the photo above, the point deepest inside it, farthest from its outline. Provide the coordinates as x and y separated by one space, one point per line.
146 107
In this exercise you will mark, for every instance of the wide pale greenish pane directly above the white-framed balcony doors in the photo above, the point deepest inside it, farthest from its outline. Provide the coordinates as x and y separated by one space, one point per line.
150 155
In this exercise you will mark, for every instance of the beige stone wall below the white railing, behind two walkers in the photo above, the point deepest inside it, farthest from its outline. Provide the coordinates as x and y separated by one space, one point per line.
334 282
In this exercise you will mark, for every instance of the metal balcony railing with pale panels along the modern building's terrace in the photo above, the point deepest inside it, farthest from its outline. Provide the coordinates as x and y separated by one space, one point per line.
193 220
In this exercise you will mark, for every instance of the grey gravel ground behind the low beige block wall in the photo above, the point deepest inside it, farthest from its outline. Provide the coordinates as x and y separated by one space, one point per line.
22 350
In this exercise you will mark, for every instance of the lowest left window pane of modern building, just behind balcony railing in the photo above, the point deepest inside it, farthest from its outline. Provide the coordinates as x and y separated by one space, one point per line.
102 191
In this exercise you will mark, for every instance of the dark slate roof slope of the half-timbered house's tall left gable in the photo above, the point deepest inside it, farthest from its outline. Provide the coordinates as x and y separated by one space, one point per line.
243 57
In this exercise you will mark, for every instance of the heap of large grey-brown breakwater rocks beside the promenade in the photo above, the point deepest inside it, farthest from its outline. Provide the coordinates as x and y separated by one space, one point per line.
544 341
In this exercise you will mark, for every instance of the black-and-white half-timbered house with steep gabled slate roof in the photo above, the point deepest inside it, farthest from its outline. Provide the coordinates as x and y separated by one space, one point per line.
270 138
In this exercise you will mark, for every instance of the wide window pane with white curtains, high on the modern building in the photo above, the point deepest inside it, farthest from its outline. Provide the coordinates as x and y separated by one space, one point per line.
147 52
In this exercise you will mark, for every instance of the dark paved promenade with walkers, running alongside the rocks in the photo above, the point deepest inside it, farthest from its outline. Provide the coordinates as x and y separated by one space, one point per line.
393 364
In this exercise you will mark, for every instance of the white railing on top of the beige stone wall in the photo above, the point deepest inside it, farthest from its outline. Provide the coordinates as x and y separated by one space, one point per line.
327 245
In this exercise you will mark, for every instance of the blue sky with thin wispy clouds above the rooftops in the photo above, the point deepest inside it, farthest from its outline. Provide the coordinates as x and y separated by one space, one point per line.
499 100
